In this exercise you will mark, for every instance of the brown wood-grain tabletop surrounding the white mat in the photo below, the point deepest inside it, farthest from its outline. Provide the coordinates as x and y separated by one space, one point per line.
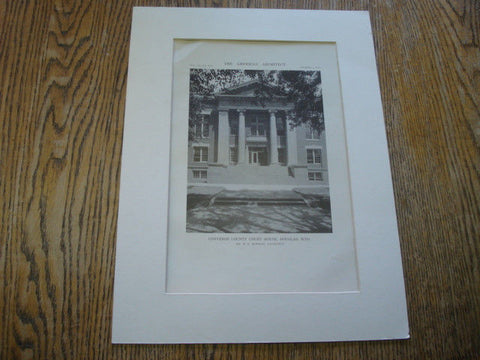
63 70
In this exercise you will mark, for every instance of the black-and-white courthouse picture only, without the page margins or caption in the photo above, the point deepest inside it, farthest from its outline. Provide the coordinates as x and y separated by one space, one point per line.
257 154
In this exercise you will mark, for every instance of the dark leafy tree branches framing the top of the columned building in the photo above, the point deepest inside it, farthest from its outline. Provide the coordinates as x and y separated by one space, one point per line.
302 88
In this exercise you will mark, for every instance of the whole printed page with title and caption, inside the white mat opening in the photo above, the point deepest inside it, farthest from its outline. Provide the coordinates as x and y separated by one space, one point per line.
258 169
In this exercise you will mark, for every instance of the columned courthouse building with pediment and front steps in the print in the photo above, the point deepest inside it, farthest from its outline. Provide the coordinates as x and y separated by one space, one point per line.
242 141
